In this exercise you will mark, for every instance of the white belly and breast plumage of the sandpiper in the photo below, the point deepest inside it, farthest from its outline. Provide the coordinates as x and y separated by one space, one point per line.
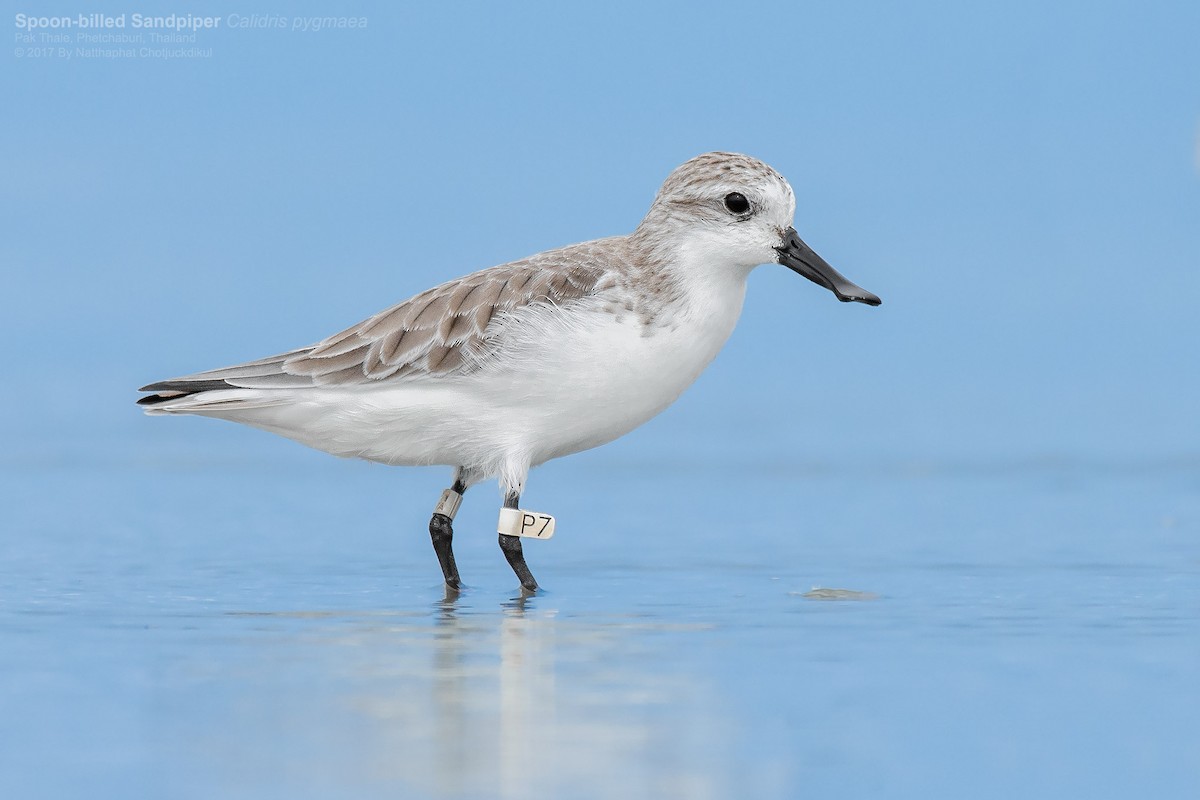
566 382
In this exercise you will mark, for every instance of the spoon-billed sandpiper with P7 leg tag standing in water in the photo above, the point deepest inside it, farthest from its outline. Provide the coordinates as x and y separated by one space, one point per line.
506 369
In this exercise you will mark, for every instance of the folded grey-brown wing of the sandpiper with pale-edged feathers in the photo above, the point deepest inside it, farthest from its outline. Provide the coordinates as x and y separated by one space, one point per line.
443 332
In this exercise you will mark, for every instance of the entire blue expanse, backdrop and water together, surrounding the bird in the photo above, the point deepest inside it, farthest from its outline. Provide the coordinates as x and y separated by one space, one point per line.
1013 432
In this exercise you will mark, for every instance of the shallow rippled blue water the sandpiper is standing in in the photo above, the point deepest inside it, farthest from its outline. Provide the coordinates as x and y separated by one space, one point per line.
183 623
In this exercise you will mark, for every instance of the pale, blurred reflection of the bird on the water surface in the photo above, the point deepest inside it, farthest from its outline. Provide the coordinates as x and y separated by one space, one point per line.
506 701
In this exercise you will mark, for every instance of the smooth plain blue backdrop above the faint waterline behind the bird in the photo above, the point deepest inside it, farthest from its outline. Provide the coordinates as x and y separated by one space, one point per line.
1019 184
